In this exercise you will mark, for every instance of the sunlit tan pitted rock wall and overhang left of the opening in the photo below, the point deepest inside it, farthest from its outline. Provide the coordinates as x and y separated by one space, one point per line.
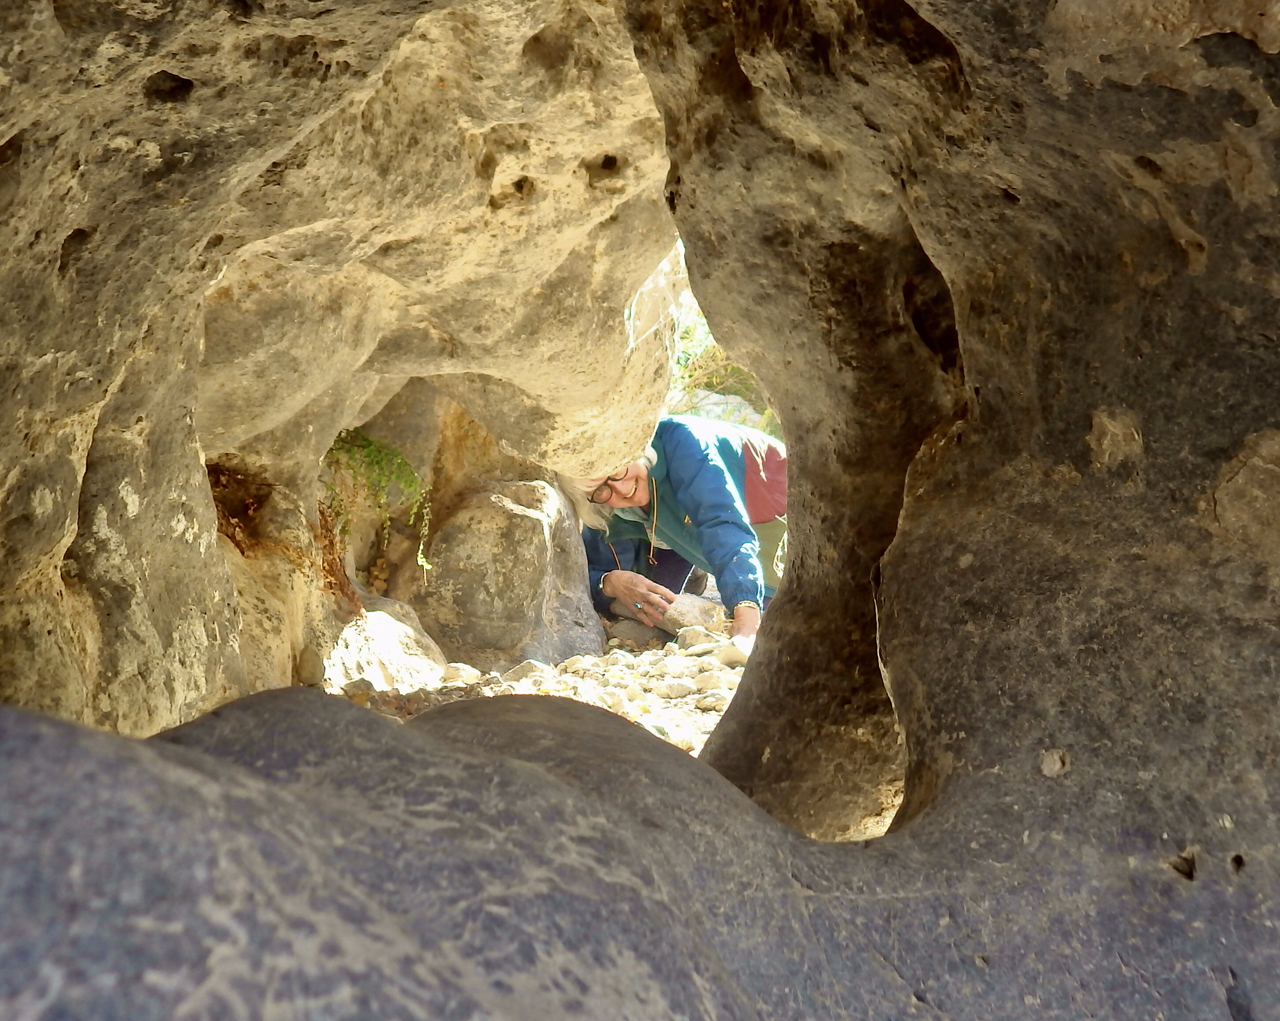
231 230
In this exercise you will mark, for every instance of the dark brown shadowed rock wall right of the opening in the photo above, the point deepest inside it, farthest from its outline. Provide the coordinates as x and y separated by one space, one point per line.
1032 257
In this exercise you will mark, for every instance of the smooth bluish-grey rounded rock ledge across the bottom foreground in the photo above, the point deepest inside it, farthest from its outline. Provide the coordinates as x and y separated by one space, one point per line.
528 857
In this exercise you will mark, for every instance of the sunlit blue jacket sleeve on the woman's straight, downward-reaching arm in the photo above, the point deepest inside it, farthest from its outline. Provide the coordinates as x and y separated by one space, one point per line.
706 492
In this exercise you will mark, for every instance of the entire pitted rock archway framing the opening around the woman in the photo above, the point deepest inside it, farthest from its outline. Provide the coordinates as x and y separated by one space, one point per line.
1008 273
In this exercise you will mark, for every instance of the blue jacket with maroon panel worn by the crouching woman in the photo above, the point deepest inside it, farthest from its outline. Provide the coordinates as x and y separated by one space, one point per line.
707 477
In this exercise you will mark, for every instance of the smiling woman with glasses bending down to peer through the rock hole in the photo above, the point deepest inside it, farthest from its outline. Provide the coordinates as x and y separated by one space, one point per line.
712 493
